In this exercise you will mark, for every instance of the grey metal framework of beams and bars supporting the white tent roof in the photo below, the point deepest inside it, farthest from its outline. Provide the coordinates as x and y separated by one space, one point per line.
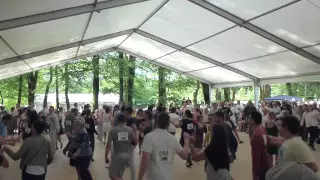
98 6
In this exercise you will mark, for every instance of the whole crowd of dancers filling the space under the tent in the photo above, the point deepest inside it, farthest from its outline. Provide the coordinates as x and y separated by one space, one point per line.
277 133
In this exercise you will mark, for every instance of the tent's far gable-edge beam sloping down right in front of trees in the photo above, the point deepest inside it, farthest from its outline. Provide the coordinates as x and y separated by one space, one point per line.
161 65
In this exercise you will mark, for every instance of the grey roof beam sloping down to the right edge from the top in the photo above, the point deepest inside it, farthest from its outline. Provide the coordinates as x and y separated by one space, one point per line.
255 29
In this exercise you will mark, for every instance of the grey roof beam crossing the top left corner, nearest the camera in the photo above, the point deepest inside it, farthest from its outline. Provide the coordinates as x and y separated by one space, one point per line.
48 16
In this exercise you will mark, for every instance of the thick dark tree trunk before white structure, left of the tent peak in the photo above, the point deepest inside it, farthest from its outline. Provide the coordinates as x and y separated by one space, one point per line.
95 81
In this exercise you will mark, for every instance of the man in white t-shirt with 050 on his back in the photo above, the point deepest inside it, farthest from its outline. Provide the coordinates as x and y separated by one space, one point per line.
159 149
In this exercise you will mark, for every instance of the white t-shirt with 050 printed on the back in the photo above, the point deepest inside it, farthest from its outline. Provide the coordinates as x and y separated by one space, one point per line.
162 147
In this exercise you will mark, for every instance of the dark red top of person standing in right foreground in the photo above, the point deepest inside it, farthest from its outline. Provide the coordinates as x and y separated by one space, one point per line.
260 160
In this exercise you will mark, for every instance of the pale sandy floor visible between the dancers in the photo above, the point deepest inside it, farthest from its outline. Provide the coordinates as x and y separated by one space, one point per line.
60 169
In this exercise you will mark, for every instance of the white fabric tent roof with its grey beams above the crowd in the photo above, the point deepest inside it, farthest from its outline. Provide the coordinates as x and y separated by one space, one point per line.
224 43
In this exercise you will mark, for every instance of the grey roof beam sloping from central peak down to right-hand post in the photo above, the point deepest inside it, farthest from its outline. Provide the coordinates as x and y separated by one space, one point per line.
192 53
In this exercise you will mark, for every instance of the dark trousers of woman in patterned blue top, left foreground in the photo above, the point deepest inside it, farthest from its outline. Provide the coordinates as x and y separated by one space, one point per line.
83 168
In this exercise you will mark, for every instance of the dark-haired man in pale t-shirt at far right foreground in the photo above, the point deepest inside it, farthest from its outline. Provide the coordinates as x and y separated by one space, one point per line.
293 149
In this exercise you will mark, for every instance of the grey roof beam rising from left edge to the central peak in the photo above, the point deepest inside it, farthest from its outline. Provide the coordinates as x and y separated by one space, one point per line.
63 47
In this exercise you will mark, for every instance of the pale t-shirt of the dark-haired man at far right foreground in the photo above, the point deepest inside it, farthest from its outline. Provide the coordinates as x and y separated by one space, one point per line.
295 150
